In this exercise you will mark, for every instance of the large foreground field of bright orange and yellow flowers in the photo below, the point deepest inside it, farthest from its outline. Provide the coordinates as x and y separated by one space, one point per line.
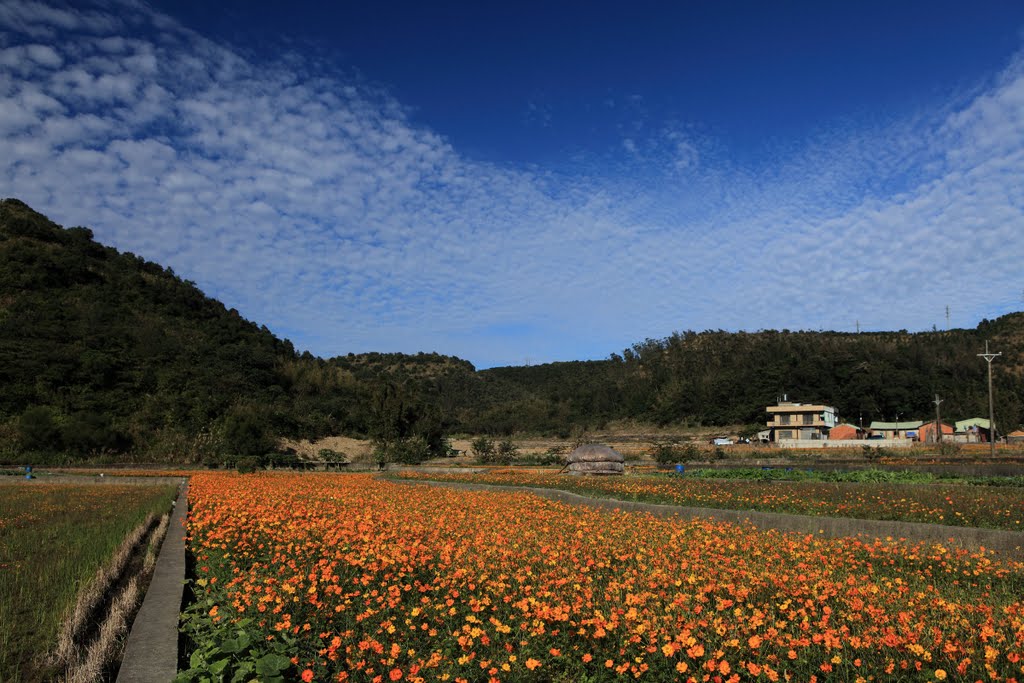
344 577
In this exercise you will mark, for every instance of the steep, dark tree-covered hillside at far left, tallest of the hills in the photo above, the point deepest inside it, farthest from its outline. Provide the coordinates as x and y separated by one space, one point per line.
124 355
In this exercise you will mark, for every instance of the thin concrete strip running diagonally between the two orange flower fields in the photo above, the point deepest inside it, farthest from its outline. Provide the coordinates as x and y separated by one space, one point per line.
1009 545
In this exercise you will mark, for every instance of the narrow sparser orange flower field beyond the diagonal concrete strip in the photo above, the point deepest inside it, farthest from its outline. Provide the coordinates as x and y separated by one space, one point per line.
954 505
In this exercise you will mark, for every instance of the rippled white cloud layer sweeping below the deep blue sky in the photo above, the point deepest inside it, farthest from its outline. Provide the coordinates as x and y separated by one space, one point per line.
309 201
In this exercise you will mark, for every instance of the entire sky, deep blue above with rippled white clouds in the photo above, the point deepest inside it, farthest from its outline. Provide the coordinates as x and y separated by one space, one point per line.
535 182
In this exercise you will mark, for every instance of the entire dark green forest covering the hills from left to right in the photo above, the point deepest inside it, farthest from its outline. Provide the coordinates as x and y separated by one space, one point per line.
105 354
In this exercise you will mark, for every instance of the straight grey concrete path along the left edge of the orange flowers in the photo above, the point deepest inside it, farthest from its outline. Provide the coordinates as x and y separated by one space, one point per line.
152 651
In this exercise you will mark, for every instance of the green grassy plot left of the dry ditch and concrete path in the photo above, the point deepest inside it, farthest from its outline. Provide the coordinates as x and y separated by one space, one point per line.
54 539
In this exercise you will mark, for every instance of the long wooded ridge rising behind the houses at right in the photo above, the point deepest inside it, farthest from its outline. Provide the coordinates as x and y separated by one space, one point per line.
722 378
